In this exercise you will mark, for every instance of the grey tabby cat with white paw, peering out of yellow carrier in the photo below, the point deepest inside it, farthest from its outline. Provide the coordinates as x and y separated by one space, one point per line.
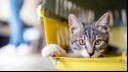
86 40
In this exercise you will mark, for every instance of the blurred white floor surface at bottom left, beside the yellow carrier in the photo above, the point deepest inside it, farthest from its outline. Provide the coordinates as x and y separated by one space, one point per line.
26 63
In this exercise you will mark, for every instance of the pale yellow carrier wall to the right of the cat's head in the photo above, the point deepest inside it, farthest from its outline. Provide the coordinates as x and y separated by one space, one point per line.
118 37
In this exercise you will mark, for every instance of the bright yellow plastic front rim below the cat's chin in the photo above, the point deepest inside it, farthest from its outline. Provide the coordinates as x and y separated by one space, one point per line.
87 64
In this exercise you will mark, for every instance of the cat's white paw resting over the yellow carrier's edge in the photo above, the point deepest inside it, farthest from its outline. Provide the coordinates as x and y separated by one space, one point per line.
53 49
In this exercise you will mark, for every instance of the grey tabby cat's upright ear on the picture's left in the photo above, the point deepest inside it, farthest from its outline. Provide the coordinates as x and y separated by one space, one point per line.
75 25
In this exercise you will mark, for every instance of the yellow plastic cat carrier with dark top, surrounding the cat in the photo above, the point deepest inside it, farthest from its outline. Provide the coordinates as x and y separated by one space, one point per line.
54 13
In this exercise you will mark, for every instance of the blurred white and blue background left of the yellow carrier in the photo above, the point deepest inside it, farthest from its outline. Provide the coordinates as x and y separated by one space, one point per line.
21 38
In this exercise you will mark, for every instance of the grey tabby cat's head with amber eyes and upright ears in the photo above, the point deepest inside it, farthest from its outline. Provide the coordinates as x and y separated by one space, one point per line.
90 37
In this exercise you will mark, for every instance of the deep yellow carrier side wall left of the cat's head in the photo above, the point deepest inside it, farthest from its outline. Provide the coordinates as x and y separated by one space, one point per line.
55 31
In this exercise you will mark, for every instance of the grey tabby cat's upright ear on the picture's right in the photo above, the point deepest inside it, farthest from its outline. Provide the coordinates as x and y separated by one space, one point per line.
103 24
